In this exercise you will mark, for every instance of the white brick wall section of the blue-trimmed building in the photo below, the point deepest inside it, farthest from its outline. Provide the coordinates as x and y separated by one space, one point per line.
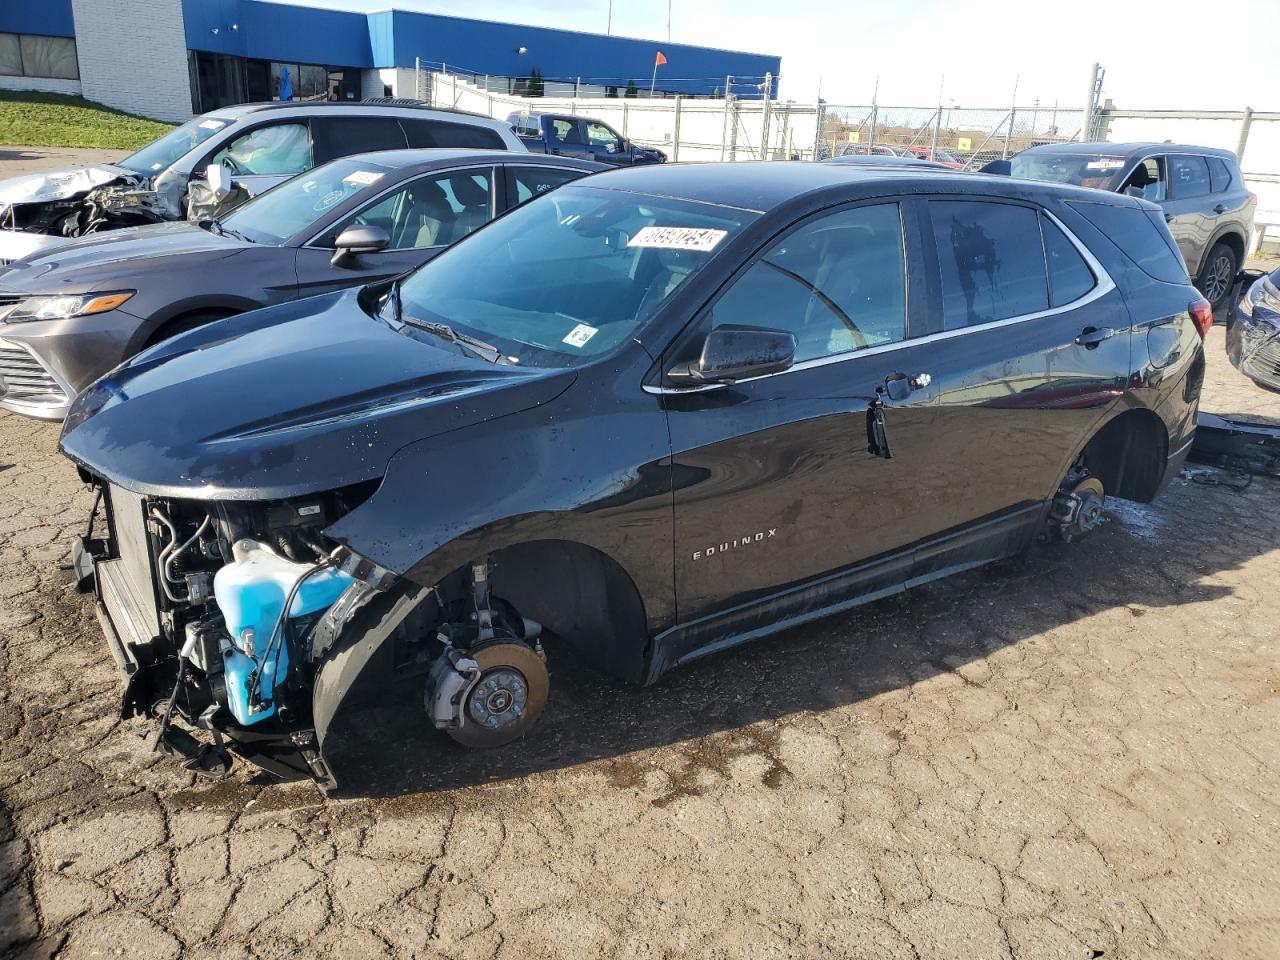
134 56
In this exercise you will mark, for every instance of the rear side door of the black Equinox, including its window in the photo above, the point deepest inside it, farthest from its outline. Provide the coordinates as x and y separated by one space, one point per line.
1031 353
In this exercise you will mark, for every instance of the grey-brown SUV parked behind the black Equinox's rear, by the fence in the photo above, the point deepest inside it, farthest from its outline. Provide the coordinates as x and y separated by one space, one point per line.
1201 191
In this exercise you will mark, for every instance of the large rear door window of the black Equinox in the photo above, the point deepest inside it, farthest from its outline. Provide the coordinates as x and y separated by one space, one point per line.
993 262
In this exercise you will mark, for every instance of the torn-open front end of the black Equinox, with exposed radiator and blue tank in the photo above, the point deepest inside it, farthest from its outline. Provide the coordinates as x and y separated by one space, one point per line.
213 612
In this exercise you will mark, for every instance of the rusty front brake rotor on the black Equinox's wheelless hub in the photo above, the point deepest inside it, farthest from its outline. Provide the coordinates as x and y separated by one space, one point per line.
506 700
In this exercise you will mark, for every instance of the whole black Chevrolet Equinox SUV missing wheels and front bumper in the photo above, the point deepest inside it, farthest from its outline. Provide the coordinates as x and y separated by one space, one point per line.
653 414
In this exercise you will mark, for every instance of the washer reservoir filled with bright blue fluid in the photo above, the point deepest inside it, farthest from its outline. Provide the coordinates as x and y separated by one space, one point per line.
250 592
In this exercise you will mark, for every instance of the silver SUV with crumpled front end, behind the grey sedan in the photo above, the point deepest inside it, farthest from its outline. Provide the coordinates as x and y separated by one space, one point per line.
259 145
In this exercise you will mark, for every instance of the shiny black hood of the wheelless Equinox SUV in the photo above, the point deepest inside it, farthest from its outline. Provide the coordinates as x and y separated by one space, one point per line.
292 400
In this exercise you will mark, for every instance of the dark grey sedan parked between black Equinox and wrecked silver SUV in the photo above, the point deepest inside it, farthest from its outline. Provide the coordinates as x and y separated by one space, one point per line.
71 314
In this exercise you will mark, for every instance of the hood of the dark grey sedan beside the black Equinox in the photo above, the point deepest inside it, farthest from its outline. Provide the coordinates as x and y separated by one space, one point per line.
112 255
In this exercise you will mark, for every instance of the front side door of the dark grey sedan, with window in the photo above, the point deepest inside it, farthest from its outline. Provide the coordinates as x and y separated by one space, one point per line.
422 217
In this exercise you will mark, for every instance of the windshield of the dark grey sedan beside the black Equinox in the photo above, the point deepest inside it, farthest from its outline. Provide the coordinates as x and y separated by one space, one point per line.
296 204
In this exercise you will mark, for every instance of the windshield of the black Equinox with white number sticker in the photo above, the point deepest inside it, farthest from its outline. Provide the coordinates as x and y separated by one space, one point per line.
569 276
